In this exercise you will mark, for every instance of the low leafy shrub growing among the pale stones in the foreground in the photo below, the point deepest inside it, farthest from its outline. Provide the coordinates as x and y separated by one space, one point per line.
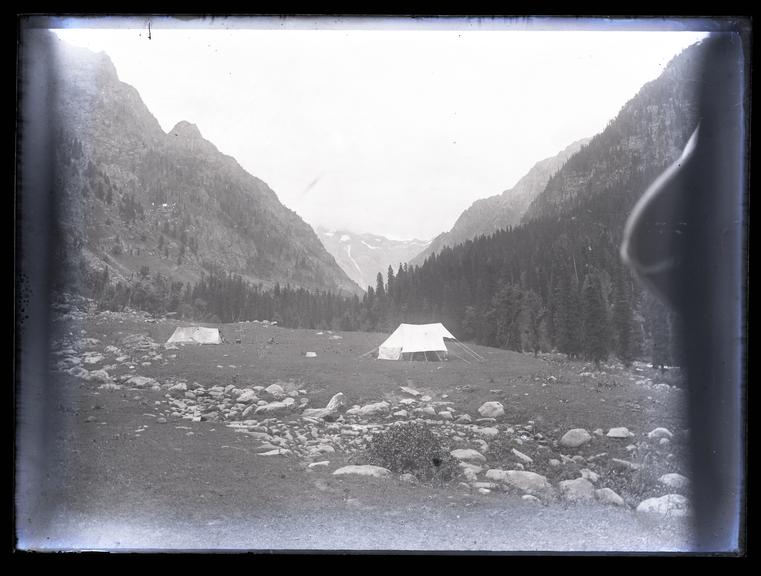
412 448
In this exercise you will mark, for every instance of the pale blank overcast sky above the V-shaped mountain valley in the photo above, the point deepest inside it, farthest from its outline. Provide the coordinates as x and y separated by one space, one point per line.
393 132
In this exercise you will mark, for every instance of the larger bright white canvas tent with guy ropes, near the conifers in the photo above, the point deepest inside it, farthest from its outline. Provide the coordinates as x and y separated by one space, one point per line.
423 341
